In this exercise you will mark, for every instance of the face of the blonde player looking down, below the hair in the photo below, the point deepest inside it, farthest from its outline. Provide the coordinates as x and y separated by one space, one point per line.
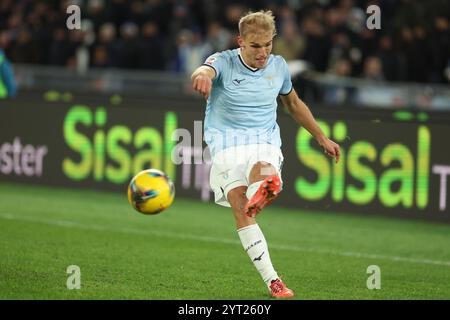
256 48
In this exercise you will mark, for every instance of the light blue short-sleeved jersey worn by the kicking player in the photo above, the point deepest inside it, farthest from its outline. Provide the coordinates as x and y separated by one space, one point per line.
242 106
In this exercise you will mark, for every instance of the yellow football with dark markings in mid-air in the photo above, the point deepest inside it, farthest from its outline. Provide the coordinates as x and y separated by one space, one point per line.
150 191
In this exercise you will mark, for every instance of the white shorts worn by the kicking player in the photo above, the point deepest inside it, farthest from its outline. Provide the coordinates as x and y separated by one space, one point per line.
231 167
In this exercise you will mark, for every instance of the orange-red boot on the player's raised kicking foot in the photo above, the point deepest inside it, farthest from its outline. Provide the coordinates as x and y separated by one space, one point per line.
267 192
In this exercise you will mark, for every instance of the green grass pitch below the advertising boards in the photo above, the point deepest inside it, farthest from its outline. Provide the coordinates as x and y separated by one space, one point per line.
191 251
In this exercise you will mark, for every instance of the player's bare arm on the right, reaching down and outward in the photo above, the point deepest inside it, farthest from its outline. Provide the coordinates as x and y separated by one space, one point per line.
302 115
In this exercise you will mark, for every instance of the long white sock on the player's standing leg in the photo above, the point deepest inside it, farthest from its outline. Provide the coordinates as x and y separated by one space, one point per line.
256 247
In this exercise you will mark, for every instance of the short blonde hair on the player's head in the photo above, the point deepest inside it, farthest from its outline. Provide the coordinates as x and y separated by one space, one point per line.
255 22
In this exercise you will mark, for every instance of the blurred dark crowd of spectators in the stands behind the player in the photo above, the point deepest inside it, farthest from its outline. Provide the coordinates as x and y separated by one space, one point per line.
413 43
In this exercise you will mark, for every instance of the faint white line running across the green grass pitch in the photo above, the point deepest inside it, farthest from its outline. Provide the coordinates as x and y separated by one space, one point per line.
72 224
